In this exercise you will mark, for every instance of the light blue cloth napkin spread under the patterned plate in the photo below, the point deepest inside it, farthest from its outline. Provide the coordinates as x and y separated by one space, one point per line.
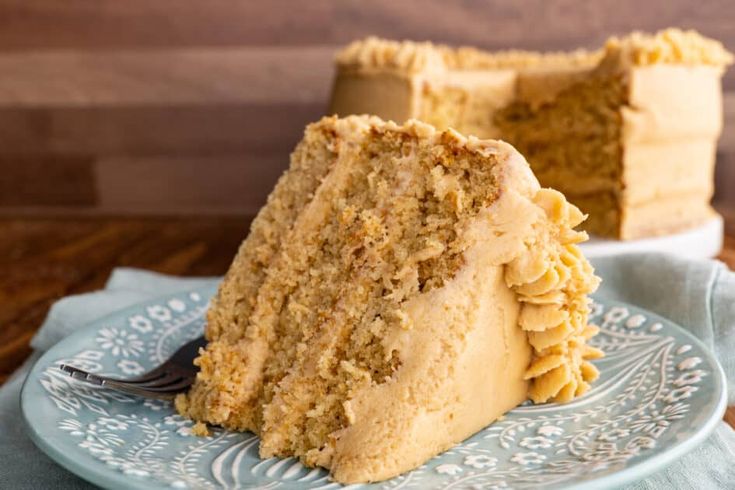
699 295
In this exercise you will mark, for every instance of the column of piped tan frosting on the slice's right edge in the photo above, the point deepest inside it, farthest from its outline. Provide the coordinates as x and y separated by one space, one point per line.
552 280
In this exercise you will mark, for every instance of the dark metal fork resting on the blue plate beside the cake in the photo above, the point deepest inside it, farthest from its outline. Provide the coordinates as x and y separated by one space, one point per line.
163 383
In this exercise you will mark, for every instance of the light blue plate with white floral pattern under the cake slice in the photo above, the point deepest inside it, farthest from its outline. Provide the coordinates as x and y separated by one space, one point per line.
659 395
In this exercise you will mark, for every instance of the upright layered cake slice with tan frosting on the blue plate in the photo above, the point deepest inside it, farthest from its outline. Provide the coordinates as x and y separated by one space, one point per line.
401 289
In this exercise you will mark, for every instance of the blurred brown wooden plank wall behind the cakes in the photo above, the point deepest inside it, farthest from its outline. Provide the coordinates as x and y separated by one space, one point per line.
191 107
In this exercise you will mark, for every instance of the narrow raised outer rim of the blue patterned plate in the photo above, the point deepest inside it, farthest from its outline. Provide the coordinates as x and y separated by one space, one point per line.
94 472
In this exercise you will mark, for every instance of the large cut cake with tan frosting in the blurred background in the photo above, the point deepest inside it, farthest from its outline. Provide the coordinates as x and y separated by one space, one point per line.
628 133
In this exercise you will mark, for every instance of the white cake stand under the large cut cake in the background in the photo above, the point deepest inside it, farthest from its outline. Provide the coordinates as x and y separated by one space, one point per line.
702 242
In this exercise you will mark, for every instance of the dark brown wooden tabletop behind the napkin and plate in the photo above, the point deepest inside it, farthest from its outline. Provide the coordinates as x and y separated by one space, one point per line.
44 259
